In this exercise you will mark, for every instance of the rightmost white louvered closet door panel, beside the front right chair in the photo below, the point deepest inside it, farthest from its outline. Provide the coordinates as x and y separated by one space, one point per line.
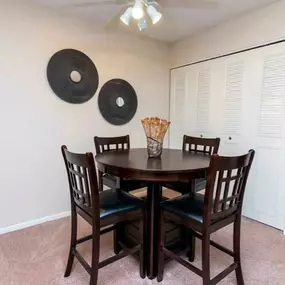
265 195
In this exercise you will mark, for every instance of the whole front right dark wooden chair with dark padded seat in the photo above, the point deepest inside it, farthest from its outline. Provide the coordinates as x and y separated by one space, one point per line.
204 214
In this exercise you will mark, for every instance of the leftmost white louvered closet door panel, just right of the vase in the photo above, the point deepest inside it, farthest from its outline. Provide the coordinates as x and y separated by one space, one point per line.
178 104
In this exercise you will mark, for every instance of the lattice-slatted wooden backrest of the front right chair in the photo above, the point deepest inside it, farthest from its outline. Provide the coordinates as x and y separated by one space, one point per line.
226 181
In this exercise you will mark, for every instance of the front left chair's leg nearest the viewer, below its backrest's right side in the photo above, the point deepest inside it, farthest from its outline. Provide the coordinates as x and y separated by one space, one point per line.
95 256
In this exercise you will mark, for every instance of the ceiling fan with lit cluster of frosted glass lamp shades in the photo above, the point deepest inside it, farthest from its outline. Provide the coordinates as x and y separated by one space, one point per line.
145 12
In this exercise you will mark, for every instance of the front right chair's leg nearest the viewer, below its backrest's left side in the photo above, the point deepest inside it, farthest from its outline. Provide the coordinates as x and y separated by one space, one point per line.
206 258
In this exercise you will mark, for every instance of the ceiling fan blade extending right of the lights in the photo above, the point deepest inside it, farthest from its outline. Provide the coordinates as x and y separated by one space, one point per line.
189 4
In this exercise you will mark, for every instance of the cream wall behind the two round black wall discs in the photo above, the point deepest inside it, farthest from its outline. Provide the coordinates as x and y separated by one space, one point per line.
35 123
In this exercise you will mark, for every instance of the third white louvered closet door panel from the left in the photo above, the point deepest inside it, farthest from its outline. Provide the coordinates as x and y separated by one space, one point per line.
231 108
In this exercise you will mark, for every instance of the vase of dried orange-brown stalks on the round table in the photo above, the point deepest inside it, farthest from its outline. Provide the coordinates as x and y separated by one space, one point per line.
155 130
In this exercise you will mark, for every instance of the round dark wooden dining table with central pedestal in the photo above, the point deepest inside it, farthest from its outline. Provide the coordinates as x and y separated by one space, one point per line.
173 165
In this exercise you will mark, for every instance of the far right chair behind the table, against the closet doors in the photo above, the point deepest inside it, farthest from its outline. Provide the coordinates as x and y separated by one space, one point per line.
190 144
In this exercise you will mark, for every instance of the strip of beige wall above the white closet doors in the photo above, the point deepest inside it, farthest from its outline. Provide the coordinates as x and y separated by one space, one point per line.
259 27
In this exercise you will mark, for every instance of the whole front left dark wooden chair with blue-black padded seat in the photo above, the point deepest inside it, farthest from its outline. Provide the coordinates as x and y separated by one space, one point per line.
103 210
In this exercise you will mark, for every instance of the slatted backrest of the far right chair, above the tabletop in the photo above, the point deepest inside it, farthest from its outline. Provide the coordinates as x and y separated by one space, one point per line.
201 145
